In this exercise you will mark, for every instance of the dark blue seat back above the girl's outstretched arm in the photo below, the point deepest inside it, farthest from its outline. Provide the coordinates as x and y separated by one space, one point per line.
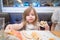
15 17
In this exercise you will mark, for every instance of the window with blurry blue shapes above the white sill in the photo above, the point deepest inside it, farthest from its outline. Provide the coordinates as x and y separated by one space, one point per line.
35 3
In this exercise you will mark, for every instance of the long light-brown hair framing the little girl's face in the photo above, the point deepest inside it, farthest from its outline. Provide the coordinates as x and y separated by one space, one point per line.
26 12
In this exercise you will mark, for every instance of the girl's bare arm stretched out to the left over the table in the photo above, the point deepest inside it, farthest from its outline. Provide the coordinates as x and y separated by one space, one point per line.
13 27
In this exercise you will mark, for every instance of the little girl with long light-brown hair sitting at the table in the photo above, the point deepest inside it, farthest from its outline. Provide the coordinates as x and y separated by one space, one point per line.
29 21
